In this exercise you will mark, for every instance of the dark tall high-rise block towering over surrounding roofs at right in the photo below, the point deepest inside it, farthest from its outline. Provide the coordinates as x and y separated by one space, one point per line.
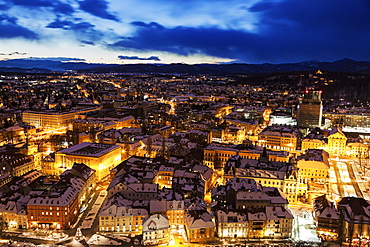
309 113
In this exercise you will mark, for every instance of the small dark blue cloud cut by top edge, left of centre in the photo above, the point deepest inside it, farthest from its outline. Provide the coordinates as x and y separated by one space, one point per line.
97 8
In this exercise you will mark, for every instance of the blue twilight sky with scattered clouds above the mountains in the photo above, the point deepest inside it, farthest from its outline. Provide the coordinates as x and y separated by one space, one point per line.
189 31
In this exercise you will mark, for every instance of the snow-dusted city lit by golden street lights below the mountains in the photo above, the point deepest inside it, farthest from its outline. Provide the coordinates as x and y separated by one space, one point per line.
182 160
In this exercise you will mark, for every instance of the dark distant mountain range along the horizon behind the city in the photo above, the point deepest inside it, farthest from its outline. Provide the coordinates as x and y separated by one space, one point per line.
45 66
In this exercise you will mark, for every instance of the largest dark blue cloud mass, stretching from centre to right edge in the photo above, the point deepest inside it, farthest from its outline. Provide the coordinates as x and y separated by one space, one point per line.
287 31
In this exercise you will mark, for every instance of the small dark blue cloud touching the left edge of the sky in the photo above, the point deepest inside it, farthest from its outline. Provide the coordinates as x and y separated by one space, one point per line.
10 29
